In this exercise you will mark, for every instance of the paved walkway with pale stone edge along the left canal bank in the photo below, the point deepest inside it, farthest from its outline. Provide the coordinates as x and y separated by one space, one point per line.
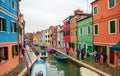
20 69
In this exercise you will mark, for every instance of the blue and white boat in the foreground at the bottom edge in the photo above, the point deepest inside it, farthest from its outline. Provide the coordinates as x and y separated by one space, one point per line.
39 69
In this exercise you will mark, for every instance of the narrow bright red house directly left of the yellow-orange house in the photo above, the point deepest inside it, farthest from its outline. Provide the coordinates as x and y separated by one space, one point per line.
66 31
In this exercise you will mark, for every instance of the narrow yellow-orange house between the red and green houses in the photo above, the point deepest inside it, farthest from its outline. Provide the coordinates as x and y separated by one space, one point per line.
78 14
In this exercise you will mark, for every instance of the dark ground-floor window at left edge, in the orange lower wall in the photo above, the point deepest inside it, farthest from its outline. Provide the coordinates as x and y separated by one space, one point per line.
3 54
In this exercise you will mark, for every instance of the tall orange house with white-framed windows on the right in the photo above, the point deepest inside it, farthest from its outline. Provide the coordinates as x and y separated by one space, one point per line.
106 28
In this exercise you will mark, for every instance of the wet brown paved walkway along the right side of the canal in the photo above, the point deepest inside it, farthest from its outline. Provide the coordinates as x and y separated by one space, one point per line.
105 68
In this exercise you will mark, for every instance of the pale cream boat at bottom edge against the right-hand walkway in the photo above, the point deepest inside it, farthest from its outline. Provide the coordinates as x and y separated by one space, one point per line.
86 72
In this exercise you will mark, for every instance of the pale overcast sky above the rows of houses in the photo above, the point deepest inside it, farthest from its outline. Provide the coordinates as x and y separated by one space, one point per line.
40 14
